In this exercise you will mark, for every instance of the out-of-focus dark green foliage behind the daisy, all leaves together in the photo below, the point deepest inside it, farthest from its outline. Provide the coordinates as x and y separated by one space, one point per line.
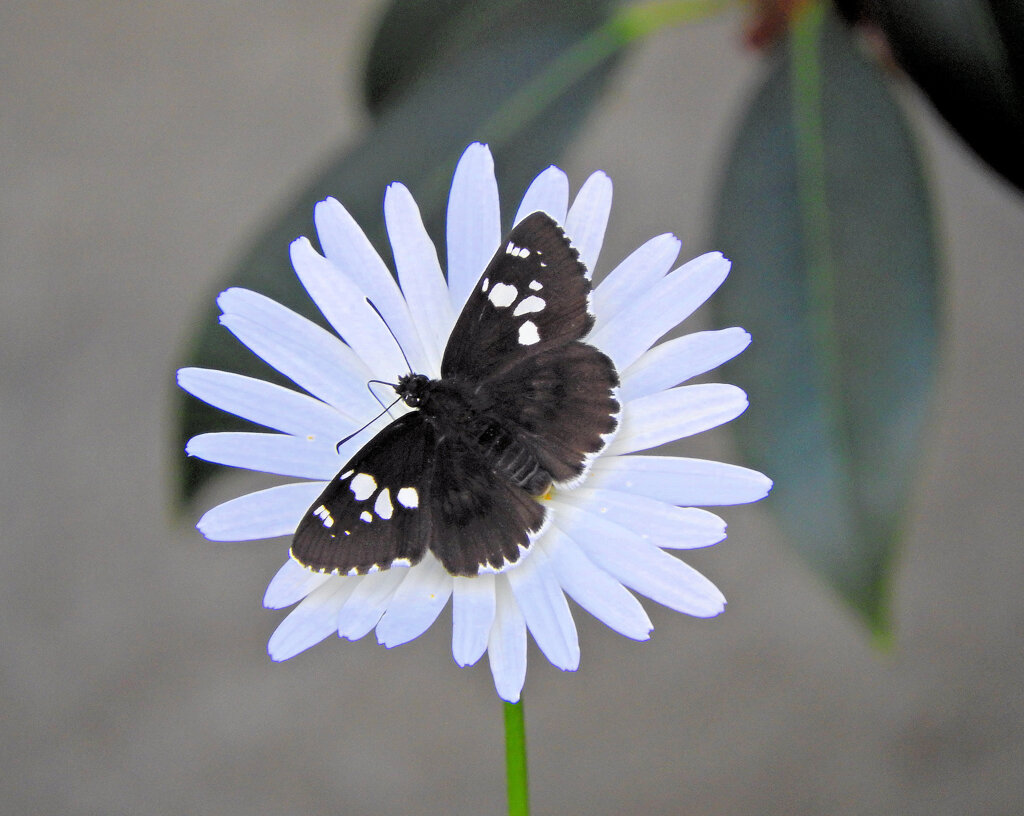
823 207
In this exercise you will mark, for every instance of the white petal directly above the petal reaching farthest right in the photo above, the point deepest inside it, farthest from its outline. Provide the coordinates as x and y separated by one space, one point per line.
667 416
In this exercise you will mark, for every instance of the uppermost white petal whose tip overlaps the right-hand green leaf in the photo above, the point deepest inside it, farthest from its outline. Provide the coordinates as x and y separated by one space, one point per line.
635 329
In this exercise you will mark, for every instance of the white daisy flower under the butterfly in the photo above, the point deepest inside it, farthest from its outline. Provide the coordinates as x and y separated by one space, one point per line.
608 538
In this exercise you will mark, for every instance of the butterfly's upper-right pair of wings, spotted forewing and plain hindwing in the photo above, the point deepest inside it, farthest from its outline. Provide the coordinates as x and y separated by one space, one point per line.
519 340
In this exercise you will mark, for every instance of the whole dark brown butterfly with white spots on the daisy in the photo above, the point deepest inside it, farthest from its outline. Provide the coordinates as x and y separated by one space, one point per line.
523 405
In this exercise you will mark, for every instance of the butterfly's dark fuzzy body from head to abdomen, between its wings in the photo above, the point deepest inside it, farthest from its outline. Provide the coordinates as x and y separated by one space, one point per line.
460 410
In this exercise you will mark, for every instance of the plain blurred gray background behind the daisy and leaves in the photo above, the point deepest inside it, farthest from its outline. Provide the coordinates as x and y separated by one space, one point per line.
142 147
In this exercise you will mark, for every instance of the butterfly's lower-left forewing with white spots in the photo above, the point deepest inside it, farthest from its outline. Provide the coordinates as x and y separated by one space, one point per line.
375 514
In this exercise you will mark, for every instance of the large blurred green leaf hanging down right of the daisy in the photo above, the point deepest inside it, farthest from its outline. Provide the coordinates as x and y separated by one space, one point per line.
825 213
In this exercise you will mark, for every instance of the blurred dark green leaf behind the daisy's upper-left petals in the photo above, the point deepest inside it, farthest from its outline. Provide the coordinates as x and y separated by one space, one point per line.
476 94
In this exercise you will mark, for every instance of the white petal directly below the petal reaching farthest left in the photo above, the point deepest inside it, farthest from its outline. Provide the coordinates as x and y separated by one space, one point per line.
305 458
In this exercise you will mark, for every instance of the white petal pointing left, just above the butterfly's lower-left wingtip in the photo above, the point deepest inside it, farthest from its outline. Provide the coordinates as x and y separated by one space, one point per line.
265 514
